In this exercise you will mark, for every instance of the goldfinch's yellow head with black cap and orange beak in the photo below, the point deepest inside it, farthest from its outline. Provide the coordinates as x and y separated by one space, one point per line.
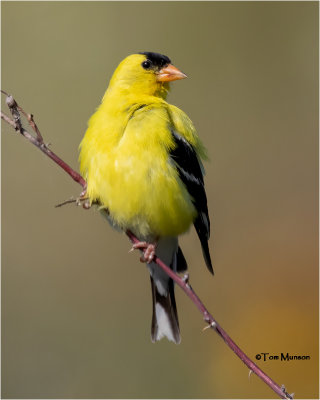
145 74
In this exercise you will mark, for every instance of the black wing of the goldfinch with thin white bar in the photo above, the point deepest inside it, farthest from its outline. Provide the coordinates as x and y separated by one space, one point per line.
190 173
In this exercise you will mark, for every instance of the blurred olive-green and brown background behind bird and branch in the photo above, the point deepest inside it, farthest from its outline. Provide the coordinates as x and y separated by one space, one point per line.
76 306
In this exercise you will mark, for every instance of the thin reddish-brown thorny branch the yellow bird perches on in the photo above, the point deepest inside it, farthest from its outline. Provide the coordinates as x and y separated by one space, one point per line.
182 282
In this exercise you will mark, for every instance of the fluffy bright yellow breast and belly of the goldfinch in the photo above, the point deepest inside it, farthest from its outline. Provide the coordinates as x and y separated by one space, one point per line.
125 160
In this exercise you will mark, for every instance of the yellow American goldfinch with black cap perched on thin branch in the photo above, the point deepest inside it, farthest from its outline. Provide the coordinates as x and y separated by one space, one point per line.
141 158
